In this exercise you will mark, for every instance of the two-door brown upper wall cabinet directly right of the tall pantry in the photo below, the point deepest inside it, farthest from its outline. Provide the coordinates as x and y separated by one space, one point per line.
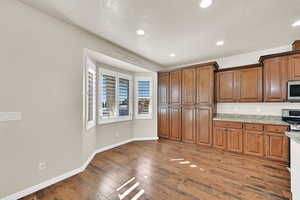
240 85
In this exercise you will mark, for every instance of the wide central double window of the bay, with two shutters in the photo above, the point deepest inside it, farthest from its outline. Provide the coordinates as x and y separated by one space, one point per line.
114 96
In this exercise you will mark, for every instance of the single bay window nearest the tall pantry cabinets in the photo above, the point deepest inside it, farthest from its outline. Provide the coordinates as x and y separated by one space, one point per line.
143 104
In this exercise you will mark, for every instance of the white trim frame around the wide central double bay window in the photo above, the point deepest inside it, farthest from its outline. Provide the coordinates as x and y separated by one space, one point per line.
116 118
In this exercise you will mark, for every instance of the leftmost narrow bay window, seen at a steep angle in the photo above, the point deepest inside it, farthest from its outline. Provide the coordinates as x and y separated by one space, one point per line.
90 94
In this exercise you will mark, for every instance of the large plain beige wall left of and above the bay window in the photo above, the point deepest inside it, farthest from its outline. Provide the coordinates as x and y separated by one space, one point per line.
41 76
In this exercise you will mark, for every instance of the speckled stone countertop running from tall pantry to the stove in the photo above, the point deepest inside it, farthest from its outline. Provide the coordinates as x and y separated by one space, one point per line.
257 119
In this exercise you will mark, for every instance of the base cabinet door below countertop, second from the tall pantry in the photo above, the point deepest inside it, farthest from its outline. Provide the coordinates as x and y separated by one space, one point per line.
235 140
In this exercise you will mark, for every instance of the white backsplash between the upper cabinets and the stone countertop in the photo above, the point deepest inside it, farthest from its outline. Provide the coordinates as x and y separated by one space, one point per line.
255 108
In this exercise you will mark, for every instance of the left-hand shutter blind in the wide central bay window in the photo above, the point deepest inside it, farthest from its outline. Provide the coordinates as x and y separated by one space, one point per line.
108 96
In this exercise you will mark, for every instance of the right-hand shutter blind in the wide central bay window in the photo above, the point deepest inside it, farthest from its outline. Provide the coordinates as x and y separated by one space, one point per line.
123 97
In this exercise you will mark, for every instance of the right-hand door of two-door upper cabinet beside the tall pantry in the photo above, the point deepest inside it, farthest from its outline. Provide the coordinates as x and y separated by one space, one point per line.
250 85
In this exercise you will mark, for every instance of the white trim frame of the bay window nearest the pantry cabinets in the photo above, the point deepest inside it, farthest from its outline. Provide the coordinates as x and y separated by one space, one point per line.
143 116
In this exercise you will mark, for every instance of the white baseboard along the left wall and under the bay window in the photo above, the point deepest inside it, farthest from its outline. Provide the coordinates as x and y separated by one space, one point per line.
69 174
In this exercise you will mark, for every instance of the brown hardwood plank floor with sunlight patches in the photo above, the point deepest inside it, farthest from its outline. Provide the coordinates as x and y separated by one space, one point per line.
210 175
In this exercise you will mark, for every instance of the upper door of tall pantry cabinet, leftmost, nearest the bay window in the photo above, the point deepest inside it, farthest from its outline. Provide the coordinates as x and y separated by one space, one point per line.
163 88
